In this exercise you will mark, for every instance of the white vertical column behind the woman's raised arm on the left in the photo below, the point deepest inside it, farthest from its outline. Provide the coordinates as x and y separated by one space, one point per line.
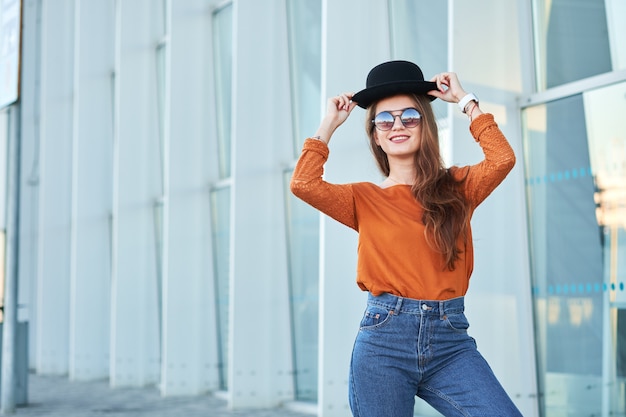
341 301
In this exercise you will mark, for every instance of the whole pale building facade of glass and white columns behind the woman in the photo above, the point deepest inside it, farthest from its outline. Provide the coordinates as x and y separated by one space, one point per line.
159 243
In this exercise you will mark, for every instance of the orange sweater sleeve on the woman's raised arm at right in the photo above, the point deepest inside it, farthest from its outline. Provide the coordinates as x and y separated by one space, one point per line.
481 179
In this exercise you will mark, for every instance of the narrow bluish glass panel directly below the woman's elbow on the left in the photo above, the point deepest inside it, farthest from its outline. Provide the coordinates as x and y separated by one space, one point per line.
303 247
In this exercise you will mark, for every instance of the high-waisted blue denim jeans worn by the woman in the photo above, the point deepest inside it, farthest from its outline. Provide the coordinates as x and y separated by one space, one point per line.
409 347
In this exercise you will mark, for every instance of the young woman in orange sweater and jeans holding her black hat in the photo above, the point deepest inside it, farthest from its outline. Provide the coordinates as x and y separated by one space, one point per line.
415 253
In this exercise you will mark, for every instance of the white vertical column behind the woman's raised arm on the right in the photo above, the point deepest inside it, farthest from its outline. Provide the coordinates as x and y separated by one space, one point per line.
500 287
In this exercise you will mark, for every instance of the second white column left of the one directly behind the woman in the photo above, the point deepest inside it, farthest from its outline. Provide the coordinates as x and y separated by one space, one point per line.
189 357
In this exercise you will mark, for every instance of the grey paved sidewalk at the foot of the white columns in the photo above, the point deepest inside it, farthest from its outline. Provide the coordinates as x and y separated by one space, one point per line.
54 396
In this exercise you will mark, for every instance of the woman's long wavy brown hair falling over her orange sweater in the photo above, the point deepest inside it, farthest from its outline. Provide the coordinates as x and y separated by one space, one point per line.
446 212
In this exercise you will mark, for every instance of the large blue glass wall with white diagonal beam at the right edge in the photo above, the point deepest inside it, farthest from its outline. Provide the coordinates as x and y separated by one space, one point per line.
574 158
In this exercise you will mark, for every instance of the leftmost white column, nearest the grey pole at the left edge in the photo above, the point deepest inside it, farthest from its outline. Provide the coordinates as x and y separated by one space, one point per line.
55 186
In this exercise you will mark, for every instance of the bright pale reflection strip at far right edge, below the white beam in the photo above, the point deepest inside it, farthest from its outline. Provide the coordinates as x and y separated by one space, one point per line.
607 148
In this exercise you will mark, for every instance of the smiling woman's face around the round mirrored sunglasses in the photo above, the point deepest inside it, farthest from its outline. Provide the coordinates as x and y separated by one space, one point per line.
399 141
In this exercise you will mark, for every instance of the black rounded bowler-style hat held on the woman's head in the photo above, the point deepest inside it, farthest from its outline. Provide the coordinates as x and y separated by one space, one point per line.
391 78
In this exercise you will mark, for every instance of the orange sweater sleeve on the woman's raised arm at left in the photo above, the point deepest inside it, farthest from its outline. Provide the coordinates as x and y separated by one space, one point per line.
335 200
